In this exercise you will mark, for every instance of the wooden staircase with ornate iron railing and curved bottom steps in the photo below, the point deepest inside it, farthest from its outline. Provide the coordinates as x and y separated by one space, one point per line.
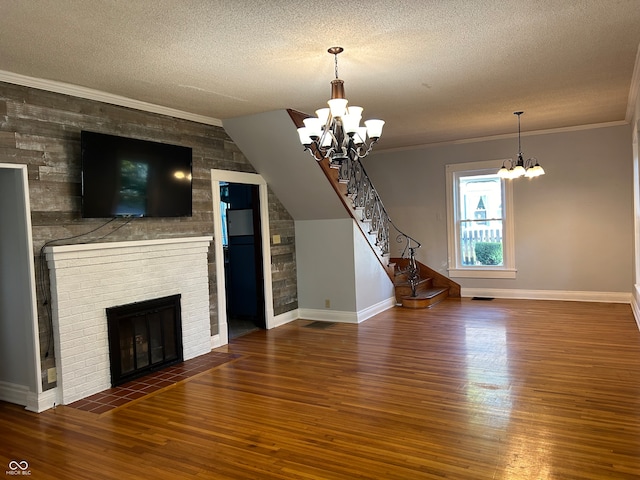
416 285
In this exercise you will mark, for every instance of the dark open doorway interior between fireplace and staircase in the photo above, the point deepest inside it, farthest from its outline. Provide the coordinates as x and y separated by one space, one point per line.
240 211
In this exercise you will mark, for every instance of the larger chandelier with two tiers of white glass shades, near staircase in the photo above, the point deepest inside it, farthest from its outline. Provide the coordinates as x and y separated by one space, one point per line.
336 133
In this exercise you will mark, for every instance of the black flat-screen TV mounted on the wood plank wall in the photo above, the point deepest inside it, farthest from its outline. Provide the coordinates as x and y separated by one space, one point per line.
127 177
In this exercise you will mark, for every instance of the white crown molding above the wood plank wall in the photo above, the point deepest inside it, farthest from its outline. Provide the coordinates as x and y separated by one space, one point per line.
97 95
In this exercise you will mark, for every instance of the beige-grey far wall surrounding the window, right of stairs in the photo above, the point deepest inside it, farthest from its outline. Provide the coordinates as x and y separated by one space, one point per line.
573 227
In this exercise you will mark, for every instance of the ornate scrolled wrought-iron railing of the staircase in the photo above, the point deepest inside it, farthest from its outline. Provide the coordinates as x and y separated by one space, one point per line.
365 199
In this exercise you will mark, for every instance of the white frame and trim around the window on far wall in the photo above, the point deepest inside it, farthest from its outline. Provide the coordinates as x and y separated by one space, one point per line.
455 268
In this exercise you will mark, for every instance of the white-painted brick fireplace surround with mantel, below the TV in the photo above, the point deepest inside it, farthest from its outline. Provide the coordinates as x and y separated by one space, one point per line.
89 278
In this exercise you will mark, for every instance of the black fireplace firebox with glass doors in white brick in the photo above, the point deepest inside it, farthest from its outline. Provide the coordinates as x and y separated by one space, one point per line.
144 337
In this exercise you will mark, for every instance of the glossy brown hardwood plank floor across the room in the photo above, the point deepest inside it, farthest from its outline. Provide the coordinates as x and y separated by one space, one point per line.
502 389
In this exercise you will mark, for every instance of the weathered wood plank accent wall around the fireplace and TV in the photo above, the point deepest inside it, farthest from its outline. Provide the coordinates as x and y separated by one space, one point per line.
42 130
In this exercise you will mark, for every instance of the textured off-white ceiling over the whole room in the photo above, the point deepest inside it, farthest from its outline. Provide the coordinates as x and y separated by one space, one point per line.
434 70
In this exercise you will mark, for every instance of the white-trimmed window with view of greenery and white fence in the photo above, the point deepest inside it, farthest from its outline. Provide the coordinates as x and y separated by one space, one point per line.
479 221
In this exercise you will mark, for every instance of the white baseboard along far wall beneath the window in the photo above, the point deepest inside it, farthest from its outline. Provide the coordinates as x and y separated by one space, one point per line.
605 297
